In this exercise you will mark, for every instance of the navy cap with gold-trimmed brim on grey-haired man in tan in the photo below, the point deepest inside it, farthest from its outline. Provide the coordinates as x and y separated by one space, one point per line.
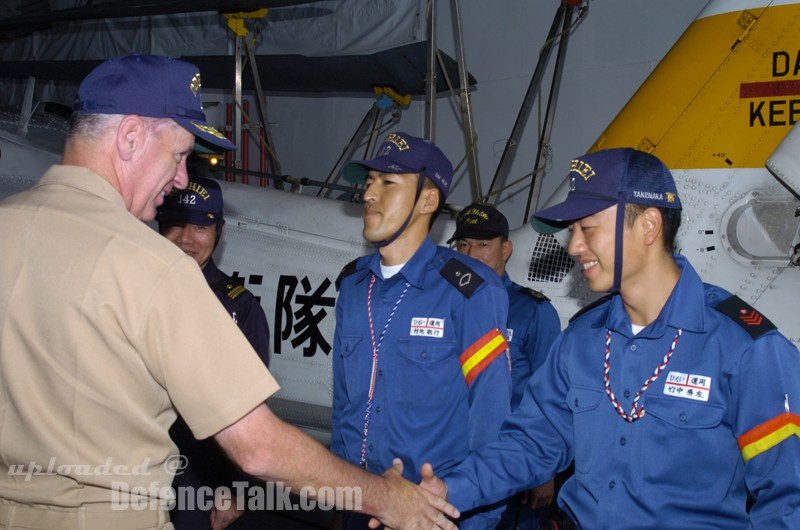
154 86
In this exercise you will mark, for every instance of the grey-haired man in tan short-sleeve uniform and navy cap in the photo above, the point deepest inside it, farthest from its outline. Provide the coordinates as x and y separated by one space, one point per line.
106 328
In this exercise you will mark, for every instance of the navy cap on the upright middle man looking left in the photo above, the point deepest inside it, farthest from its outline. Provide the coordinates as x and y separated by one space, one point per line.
403 153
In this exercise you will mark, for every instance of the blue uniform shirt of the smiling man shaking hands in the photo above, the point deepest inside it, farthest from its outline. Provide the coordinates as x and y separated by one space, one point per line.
720 420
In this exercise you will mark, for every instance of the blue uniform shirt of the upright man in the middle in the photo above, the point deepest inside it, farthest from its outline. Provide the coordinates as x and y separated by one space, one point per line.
442 384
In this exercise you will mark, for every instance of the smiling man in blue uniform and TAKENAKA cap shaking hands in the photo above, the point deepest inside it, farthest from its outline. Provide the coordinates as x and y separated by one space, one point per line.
676 399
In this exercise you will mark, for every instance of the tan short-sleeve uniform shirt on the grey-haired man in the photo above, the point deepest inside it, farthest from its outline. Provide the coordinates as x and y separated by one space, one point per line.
105 329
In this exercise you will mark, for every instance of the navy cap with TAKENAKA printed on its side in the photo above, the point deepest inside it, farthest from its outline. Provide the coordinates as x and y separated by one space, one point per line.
604 178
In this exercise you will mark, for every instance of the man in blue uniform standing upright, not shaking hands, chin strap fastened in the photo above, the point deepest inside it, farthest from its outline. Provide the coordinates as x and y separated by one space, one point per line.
420 363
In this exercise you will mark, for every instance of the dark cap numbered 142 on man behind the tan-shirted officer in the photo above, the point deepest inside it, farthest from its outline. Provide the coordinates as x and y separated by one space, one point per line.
200 203
